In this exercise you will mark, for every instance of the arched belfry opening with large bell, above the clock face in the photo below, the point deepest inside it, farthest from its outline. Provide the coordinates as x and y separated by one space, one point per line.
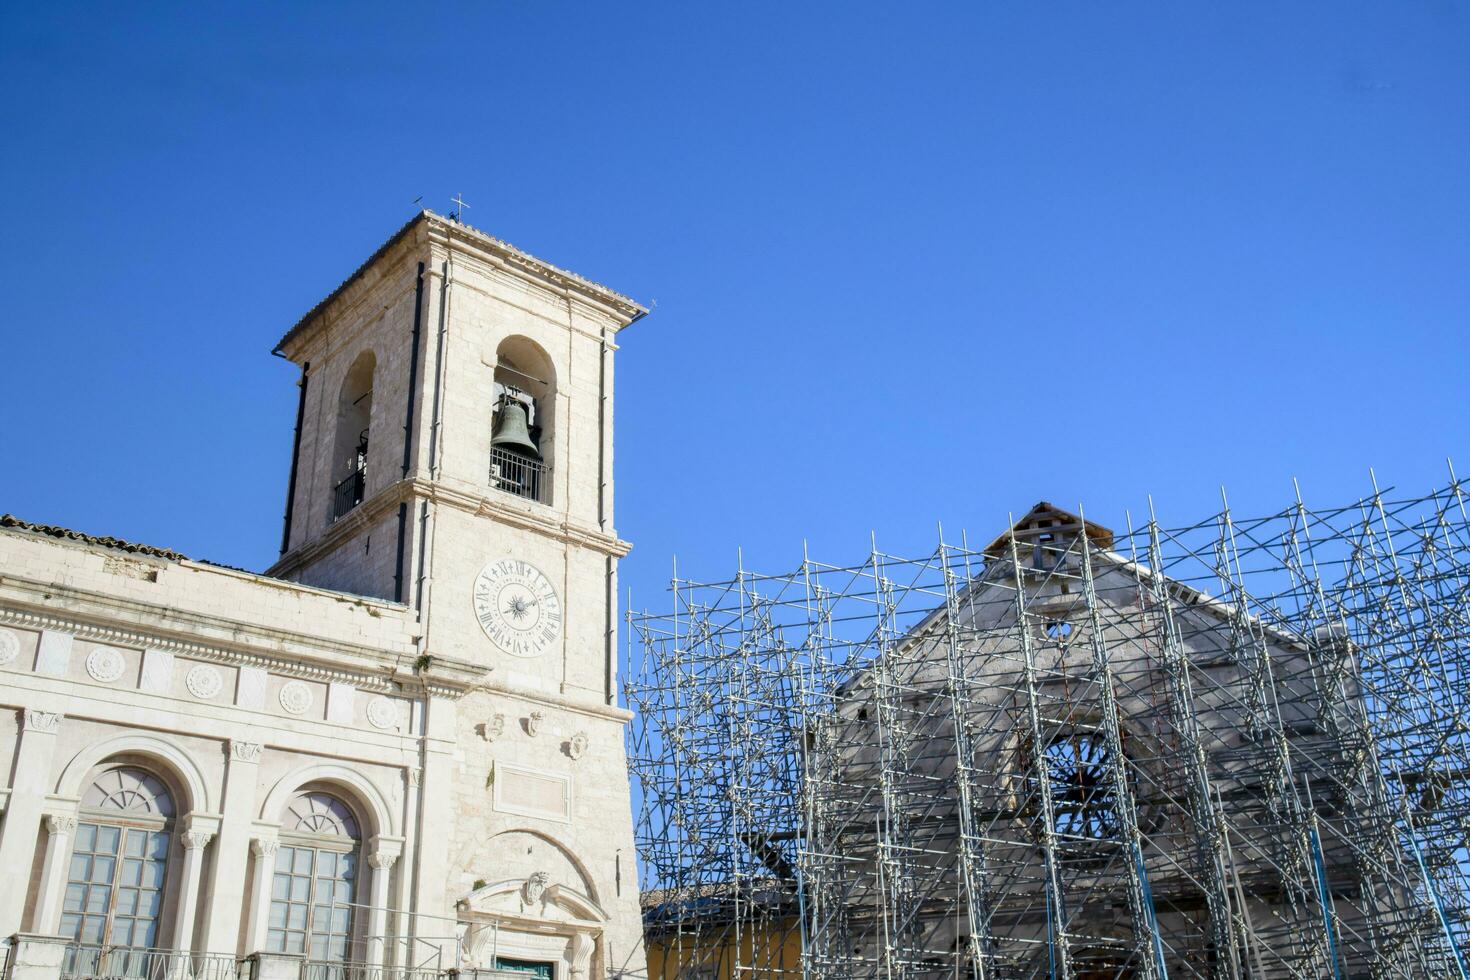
524 424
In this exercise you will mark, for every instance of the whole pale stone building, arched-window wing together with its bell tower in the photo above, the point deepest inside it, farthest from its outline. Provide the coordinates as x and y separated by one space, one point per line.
348 705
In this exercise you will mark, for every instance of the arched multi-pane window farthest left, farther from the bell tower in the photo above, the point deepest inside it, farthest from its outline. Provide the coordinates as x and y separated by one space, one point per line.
120 862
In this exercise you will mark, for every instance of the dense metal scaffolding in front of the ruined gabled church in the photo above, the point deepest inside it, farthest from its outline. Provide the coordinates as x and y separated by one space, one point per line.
1238 749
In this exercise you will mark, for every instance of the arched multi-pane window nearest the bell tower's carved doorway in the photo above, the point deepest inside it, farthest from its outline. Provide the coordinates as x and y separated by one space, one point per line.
315 882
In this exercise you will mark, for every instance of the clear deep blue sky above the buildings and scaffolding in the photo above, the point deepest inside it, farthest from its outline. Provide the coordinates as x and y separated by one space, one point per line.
912 262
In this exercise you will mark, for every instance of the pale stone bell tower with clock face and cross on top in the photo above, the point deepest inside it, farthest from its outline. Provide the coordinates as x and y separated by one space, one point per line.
455 453
